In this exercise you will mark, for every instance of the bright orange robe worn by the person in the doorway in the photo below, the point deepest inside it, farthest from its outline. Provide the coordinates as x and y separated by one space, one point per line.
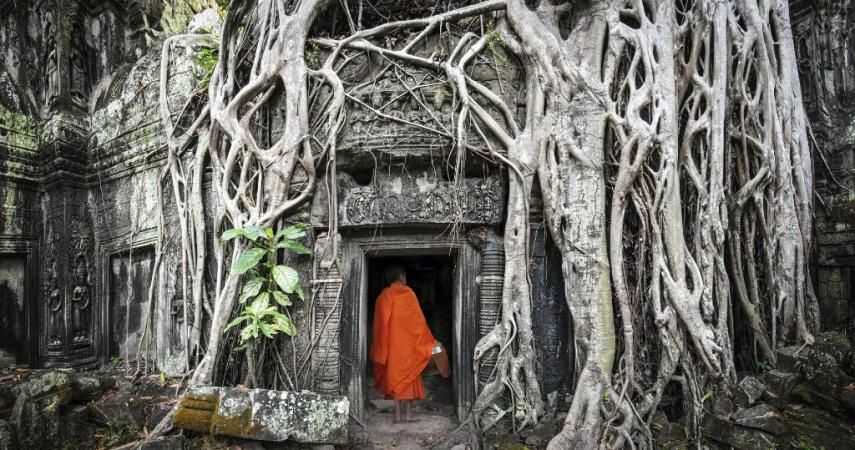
402 344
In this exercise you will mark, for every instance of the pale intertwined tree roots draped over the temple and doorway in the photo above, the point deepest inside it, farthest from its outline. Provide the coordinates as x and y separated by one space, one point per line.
667 138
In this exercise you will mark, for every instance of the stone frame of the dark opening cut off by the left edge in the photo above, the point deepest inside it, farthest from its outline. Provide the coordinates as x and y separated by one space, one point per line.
29 249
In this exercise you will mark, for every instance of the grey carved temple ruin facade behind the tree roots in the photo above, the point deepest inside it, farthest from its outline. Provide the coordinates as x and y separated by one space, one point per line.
81 155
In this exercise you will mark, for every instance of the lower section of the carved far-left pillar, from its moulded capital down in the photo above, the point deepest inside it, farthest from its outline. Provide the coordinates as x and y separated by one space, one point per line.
69 308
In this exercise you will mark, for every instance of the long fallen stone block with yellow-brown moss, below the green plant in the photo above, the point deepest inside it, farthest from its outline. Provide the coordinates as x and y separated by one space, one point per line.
265 415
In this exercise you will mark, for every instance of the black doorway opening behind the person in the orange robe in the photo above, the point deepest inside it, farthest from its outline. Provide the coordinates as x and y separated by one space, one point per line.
432 279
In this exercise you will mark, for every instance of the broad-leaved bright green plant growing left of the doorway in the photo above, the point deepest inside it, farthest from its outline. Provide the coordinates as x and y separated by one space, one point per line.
268 285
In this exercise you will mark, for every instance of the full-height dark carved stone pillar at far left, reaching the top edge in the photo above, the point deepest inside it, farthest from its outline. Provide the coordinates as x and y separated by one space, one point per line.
70 309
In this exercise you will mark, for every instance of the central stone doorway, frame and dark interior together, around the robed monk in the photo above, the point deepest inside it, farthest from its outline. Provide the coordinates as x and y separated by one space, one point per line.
442 266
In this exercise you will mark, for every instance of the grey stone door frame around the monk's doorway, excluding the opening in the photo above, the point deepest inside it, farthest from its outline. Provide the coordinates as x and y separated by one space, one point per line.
356 249
